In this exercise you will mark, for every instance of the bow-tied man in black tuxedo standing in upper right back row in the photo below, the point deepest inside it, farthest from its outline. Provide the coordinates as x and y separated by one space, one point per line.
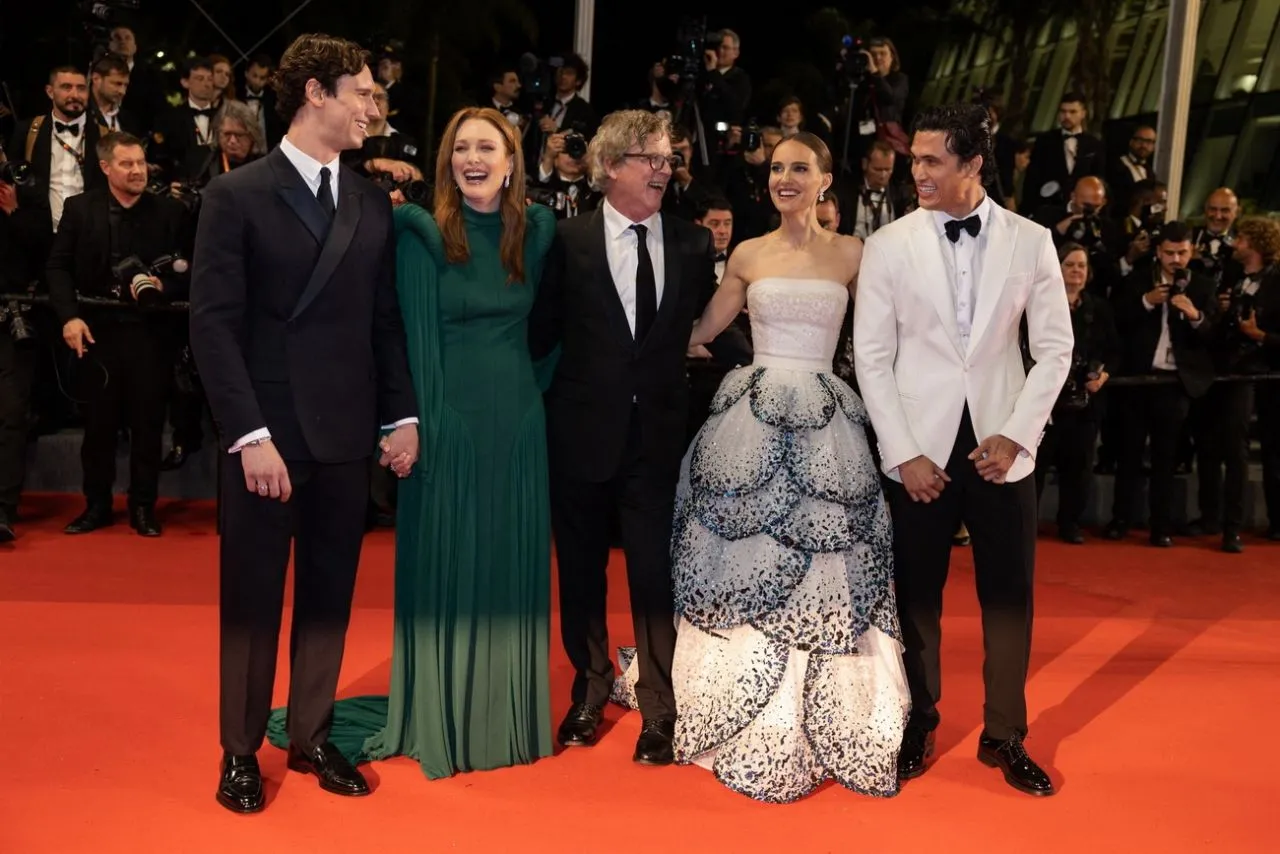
1062 157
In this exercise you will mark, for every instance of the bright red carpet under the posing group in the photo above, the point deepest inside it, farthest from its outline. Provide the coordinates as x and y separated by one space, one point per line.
1154 687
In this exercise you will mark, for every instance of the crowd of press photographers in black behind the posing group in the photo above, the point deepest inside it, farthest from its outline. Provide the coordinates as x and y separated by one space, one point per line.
100 191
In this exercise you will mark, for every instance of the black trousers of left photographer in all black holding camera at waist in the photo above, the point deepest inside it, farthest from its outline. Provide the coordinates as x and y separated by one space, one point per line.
126 380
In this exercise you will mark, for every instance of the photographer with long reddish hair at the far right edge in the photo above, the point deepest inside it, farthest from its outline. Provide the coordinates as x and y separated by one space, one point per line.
1247 341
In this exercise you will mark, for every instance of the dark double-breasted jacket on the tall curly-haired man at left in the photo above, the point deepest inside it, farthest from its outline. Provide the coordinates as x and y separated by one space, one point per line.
294 327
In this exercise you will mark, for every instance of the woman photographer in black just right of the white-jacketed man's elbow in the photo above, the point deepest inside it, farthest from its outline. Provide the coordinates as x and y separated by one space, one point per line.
1073 427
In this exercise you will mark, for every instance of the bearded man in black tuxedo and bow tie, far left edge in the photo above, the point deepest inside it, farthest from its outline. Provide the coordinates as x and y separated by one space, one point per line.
61 147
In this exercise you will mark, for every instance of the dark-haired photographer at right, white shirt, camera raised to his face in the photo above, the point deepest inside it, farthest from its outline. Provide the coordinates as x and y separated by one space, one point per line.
1165 318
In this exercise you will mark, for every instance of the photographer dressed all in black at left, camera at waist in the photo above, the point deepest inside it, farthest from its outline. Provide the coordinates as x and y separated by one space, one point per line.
112 245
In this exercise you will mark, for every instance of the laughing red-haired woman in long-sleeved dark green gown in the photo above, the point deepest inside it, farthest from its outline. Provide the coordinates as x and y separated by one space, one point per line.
469 686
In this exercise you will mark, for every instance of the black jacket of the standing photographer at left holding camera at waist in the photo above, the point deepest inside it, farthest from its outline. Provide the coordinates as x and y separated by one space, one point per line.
80 263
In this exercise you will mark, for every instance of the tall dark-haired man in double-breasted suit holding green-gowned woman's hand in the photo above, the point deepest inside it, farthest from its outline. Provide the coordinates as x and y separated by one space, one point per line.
298 335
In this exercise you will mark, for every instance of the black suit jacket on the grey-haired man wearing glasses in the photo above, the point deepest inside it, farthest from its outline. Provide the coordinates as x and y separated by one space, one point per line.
602 368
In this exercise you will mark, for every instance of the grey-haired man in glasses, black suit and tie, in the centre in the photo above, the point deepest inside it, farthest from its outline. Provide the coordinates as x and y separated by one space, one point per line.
623 289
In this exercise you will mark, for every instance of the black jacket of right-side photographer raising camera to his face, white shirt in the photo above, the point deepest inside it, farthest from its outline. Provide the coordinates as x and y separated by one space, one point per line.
1140 330
